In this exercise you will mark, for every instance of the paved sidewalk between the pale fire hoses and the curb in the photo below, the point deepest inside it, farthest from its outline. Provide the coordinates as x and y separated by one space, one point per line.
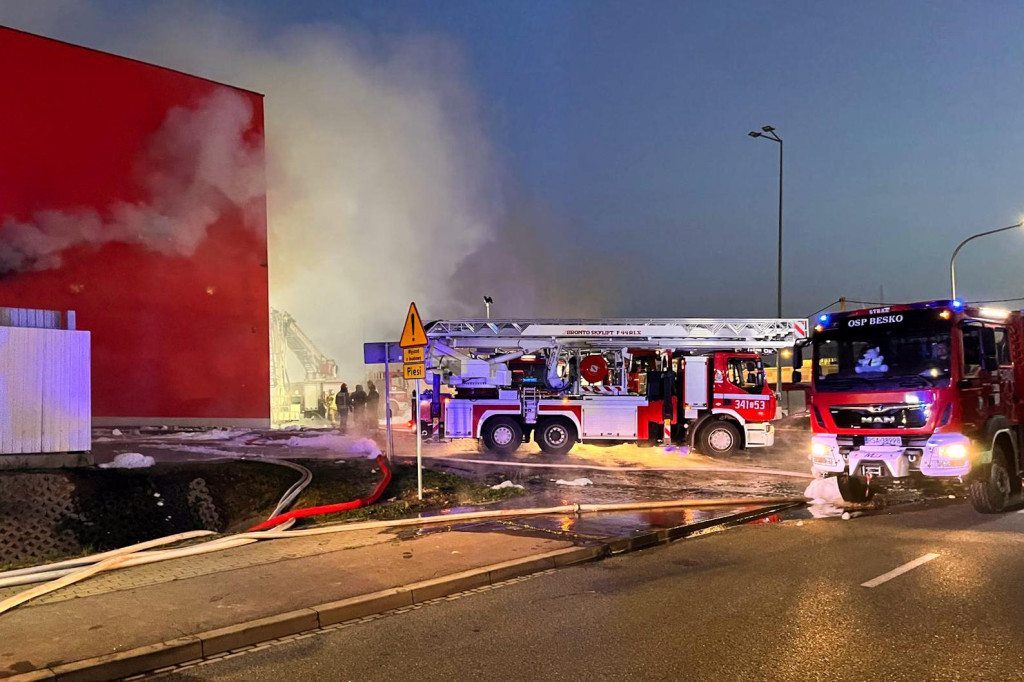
136 608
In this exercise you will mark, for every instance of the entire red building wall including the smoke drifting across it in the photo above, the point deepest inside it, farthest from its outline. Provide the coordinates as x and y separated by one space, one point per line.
135 196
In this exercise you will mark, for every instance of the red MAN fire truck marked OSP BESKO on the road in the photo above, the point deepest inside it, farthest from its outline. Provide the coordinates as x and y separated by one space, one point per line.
923 390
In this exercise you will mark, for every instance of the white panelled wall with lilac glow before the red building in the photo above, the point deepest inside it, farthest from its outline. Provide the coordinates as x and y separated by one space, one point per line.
46 392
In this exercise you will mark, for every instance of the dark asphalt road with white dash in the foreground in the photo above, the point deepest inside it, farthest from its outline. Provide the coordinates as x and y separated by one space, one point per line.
762 603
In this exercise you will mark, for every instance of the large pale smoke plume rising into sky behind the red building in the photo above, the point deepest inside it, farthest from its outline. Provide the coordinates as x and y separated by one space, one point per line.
382 185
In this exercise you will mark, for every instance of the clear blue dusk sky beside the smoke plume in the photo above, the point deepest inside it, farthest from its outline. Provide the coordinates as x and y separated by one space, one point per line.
623 126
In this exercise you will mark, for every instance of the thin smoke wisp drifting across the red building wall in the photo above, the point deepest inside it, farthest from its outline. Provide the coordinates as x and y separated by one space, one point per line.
196 166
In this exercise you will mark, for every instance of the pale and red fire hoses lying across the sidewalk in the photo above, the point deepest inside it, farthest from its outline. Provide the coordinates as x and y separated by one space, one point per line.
133 557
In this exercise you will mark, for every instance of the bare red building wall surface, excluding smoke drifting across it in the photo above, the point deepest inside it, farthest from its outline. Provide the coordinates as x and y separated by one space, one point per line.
176 338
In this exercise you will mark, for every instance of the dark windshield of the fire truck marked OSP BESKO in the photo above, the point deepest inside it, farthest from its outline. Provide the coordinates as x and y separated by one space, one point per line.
884 353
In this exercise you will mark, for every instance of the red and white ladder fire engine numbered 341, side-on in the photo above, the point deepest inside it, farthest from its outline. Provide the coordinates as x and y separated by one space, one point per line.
561 382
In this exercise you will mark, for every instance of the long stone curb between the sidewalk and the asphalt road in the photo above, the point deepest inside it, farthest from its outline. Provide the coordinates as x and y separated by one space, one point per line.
204 645
